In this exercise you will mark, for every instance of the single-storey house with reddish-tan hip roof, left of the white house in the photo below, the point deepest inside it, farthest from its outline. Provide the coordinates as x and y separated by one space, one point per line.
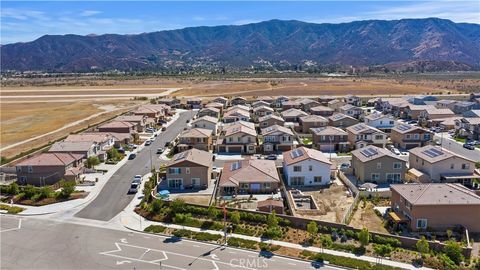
253 176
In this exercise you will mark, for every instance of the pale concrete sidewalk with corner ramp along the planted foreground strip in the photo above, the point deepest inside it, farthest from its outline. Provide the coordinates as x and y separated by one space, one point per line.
131 220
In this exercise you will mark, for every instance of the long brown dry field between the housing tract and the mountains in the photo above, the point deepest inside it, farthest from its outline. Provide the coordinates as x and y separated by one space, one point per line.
317 86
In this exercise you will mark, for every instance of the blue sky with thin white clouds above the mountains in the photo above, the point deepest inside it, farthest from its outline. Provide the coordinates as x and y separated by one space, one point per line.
23 21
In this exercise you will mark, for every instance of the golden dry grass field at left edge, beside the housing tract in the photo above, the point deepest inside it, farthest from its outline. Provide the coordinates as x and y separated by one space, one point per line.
36 124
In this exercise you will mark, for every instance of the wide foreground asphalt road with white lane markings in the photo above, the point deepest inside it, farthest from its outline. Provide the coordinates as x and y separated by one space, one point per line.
44 244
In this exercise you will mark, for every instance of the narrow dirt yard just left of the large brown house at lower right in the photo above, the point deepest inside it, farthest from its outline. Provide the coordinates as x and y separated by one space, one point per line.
366 217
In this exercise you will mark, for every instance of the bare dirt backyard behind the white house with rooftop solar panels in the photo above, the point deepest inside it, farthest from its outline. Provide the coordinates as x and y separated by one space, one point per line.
332 203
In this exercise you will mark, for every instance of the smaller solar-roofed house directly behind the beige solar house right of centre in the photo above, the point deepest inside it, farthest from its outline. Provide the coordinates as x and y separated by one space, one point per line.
361 135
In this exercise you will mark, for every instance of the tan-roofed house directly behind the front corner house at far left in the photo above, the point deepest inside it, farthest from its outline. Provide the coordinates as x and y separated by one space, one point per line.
86 148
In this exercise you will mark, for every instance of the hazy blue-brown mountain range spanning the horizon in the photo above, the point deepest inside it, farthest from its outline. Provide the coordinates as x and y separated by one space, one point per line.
268 44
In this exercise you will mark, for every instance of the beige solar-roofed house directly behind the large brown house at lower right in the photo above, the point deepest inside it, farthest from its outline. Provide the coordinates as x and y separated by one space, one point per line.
440 165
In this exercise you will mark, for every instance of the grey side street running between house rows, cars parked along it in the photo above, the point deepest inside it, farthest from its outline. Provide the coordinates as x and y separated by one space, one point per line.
113 198
